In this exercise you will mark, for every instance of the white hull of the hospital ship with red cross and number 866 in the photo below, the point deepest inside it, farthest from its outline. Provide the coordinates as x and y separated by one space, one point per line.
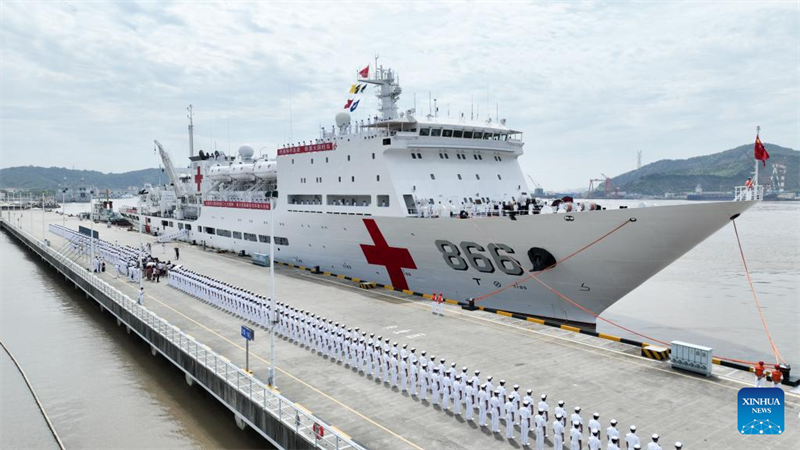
410 259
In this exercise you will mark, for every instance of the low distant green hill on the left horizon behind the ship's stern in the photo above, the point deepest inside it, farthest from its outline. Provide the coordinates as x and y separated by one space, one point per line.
49 178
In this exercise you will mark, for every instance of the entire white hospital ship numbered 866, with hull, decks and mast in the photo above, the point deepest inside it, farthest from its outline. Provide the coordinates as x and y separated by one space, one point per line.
429 204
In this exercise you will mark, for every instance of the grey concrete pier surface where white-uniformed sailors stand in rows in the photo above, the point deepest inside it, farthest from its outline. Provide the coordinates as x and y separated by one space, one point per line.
599 375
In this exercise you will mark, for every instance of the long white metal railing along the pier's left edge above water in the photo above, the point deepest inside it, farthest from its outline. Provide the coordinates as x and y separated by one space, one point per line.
294 417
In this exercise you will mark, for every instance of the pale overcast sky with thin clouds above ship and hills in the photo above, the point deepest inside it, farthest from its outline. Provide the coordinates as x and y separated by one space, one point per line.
90 85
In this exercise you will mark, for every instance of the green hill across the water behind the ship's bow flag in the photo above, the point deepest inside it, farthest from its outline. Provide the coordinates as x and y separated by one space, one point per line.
718 172
